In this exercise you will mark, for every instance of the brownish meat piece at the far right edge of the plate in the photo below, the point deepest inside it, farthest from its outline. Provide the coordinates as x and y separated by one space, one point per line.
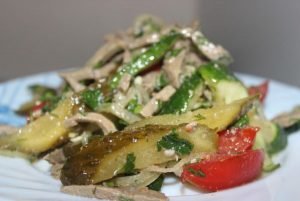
288 118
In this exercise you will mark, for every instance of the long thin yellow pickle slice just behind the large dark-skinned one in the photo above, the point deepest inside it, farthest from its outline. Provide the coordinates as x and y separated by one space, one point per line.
218 117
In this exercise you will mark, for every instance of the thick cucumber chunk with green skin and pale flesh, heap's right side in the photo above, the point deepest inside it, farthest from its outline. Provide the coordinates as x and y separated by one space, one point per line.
225 86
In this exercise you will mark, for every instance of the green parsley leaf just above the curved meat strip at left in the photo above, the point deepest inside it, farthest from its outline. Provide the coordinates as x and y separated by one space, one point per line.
92 98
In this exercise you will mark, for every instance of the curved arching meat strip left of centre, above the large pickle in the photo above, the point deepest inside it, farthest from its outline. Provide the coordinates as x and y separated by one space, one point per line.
104 123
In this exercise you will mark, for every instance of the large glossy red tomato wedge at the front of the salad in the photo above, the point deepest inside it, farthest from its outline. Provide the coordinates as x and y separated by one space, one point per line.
224 171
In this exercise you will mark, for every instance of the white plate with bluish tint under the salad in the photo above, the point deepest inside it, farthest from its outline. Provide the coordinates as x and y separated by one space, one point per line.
20 180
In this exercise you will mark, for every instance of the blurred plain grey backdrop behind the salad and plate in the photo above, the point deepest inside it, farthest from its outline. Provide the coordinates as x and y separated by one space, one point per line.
38 36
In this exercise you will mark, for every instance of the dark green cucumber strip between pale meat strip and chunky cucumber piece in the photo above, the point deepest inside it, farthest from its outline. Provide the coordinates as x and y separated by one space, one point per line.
179 102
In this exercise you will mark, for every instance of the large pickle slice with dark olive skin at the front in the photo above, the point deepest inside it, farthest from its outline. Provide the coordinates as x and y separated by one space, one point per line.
105 158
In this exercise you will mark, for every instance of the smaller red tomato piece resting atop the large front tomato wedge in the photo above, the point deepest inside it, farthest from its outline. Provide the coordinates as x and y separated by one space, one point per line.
236 140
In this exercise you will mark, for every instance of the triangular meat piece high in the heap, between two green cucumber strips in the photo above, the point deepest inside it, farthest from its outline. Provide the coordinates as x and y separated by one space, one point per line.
173 68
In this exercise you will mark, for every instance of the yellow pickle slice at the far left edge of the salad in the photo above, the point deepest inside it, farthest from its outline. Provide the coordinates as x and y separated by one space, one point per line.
42 134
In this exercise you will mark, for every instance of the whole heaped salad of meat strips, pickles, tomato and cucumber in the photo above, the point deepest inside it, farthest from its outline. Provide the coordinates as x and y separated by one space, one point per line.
154 100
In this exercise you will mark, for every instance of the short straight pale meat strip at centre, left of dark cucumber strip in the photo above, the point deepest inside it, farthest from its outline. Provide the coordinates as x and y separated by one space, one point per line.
152 106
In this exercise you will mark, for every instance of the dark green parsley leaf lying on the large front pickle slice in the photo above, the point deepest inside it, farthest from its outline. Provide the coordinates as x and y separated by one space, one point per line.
172 141
